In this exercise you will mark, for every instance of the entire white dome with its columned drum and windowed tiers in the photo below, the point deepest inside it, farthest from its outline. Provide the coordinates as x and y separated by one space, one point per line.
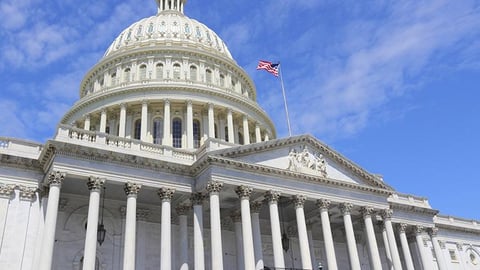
168 81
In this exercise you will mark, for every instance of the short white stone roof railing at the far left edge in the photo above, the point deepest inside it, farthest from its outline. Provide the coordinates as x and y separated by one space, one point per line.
21 148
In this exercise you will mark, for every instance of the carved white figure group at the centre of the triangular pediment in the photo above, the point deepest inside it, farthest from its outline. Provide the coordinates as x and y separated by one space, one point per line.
307 162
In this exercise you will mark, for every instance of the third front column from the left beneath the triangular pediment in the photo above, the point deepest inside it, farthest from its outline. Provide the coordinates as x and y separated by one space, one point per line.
272 197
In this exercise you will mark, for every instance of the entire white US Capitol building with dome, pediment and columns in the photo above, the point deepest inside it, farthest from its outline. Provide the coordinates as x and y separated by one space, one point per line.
167 162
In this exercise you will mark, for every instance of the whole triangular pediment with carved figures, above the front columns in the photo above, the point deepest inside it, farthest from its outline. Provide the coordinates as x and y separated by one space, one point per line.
306 155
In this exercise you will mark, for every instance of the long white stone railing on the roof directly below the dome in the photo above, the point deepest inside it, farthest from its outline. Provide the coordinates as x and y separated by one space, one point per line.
105 141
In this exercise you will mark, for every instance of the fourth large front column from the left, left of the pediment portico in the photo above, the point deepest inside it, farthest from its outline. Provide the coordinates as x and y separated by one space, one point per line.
166 195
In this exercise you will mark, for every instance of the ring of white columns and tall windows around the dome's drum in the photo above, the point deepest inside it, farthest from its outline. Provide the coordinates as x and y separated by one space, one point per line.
186 127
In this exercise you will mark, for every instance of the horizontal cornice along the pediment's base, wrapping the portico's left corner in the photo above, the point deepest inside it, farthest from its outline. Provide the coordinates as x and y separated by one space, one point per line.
266 170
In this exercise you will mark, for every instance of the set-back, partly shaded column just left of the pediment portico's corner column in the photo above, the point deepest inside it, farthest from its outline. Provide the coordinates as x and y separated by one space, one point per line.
199 259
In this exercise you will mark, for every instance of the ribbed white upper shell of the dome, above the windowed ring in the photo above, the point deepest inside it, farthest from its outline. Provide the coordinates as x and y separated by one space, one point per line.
169 27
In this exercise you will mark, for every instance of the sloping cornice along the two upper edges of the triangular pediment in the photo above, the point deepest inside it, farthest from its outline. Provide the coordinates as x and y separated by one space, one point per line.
264 146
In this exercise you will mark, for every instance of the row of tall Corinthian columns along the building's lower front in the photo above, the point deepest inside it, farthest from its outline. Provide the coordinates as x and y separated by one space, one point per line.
247 230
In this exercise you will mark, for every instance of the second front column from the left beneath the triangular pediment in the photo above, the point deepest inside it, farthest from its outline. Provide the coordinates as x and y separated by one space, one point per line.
244 193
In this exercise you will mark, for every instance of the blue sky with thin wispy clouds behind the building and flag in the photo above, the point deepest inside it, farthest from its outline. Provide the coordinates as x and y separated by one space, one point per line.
393 85
